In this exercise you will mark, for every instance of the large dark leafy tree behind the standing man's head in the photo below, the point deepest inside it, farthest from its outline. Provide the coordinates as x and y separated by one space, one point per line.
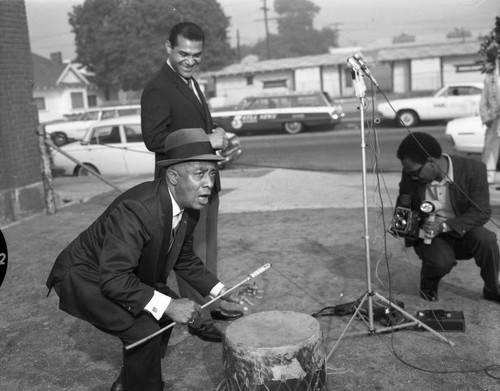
122 42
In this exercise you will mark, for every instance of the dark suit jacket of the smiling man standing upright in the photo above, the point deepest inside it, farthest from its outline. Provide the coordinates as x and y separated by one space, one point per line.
168 104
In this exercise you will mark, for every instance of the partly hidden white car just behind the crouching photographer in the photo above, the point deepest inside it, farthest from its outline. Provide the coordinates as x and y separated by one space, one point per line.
466 134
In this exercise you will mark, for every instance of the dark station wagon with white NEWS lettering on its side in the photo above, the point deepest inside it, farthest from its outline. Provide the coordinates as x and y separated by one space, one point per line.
293 112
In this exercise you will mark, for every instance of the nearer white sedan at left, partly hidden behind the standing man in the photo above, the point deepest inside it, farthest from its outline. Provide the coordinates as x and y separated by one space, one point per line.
115 147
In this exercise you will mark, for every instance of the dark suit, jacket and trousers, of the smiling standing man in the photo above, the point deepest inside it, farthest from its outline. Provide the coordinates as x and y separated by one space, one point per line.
168 104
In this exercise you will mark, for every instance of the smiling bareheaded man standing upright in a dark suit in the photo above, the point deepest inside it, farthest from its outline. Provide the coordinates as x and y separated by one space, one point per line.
173 100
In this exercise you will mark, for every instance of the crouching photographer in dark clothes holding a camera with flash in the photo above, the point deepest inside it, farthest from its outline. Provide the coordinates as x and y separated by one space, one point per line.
441 210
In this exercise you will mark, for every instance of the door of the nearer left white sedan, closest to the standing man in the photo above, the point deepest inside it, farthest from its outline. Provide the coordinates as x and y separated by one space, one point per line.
138 159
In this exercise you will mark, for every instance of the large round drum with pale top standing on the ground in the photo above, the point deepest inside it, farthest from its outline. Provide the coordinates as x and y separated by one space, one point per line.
274 351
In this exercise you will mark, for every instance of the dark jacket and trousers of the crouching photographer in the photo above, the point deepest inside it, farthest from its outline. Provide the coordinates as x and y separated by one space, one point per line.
469 195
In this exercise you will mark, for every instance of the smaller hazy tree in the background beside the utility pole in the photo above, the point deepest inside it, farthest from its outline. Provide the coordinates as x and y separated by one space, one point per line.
296 33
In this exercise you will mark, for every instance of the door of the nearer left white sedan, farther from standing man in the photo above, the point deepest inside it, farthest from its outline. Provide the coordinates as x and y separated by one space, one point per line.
105 150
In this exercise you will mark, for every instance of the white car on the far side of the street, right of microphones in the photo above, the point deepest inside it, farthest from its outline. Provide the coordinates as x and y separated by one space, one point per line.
451 101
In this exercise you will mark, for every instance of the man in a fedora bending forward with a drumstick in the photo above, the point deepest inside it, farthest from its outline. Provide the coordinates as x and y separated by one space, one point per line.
114 274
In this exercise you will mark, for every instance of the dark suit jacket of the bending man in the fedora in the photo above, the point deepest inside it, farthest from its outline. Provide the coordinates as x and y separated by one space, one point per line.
108 274
